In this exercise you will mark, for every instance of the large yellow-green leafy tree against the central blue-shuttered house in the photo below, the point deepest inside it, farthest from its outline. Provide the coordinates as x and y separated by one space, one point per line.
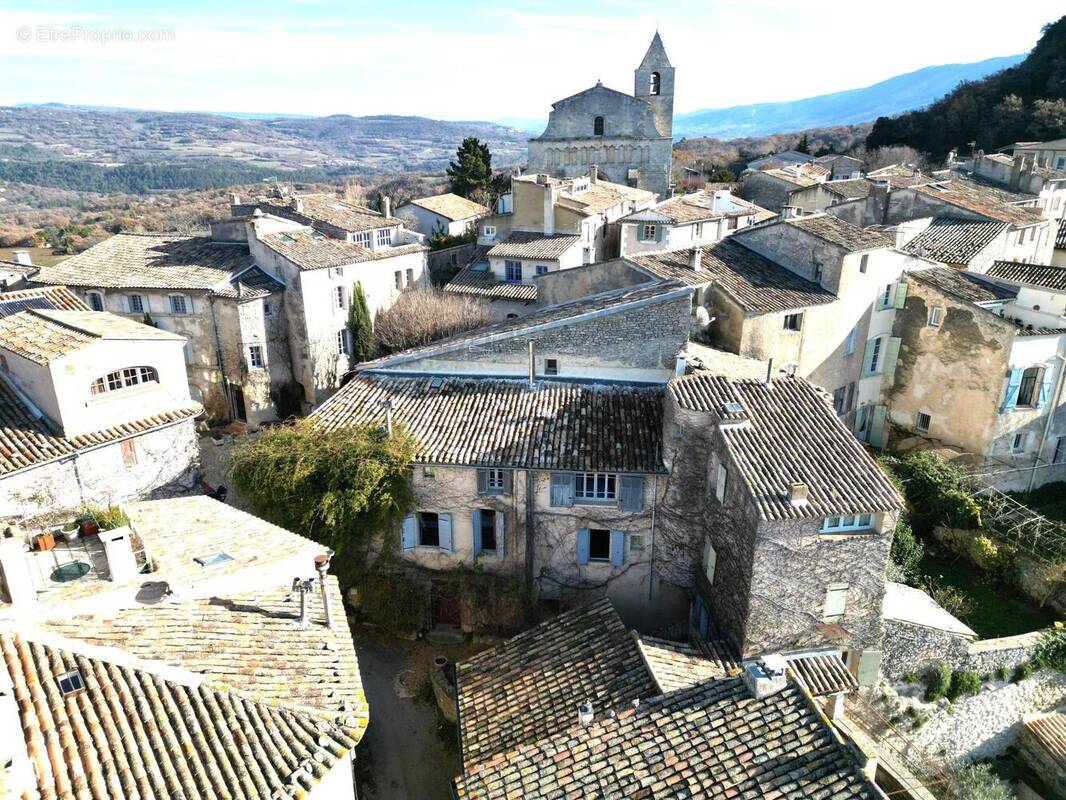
343 488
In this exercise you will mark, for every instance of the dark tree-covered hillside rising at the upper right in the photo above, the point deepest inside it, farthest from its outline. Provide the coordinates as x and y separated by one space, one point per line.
1026 103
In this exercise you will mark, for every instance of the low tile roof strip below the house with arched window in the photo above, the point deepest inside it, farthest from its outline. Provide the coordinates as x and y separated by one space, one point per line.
27 441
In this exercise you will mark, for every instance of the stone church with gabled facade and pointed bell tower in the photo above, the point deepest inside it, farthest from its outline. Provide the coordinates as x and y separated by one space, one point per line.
628 138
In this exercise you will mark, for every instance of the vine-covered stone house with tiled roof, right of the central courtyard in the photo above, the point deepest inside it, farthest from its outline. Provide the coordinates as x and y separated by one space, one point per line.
797 519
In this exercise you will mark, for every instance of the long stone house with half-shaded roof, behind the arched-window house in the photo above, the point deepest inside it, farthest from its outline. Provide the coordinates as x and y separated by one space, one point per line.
231 313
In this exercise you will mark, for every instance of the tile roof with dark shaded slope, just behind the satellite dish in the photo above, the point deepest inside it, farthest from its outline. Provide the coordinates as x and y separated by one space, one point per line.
755 282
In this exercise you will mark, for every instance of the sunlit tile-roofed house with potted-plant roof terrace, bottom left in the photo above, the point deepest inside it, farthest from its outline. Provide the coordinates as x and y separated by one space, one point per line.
108 689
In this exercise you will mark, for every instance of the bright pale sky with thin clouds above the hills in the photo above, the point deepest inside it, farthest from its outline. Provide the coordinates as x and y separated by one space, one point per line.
472 59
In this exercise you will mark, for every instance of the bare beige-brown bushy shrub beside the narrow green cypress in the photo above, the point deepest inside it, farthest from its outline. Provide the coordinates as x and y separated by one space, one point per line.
424 315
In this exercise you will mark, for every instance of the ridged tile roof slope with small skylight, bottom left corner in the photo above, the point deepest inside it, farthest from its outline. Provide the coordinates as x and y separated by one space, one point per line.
132 732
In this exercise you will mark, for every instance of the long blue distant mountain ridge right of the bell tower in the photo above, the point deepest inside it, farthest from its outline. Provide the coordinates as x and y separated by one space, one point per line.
893 97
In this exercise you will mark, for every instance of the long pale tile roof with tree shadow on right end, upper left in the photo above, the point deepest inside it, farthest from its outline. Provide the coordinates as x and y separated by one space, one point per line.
153 262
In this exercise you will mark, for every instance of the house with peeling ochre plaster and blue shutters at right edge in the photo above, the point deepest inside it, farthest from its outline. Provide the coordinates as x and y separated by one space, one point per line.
972 343
